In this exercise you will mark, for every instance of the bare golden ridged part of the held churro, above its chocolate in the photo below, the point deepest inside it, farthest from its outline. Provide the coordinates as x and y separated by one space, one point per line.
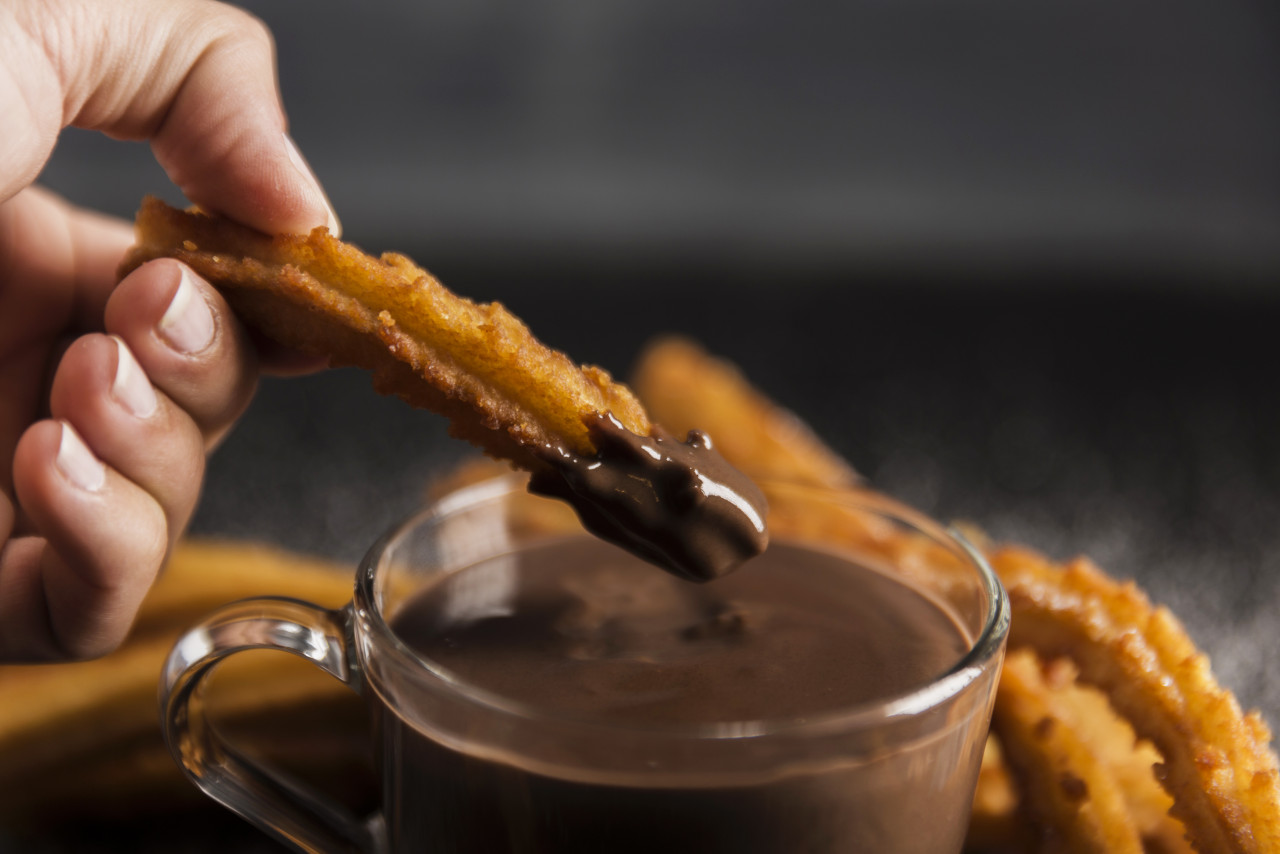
477 364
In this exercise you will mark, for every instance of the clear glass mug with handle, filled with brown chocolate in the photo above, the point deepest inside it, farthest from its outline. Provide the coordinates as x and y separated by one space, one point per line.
467 771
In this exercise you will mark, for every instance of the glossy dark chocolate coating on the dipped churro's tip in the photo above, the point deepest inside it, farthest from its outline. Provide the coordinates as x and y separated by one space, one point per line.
678 505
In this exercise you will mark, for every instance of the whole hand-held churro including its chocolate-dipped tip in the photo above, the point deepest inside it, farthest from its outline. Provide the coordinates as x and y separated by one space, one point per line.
586 439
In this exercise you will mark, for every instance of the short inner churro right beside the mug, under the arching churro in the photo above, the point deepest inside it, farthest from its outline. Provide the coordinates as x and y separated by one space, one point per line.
1067 789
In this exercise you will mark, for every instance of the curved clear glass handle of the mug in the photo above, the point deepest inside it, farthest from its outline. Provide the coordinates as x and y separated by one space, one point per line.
276 806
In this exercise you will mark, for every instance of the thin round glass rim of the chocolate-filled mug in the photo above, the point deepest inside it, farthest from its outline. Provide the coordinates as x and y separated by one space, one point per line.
966 672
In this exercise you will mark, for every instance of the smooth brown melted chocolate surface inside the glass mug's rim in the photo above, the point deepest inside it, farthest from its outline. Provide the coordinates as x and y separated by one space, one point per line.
580 628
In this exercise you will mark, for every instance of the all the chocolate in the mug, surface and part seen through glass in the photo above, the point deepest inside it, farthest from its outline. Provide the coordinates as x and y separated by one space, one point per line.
578 629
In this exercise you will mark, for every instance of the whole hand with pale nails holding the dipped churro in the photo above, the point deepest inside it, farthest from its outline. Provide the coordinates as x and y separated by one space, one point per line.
103 436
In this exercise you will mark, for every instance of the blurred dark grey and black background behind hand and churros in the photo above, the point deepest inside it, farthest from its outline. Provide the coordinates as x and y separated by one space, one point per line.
1018 262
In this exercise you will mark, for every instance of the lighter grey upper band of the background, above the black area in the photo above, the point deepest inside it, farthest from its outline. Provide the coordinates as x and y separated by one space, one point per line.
1113 133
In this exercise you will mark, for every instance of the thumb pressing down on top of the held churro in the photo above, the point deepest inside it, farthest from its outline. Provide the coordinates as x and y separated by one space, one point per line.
195 77
